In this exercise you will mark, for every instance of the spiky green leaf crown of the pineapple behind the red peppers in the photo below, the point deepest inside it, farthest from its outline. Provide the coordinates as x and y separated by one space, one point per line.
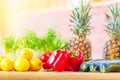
80 18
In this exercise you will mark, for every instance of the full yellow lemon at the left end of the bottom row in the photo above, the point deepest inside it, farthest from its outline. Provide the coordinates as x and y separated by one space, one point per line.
6 64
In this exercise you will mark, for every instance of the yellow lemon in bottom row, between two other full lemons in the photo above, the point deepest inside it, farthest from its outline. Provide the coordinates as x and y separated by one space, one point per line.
21 64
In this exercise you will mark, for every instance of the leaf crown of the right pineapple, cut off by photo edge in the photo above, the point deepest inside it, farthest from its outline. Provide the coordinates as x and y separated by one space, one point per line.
113 21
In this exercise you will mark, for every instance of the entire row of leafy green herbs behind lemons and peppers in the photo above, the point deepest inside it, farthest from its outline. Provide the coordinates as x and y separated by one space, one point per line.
50 41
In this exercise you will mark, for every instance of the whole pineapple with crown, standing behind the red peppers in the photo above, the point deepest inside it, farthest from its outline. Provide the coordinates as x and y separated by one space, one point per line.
80 19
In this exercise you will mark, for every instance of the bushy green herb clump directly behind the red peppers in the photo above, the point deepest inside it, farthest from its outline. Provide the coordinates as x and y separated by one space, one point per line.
50 41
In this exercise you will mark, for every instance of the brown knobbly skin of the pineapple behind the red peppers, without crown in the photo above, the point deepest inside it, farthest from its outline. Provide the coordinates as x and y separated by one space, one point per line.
82 44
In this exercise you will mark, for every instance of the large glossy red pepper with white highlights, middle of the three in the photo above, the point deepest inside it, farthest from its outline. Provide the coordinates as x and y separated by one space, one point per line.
58 60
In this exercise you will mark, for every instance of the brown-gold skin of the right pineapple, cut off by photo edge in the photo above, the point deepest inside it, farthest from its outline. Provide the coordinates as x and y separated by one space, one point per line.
112 49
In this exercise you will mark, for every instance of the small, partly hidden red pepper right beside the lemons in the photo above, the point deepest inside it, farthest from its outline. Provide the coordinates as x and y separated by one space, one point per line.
44 58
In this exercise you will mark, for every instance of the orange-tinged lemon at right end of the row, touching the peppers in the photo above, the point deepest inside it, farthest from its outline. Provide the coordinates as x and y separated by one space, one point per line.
35 64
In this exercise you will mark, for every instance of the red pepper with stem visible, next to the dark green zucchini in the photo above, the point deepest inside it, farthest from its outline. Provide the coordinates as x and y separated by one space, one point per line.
75 61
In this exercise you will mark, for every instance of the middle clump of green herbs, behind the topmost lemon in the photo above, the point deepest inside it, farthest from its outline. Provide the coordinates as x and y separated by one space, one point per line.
30 40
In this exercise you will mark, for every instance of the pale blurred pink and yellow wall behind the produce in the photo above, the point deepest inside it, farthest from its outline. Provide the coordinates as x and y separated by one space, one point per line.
16 16
